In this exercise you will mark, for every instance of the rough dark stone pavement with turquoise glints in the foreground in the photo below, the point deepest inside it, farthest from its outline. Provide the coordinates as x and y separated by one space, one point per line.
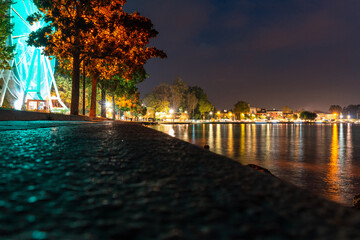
123 181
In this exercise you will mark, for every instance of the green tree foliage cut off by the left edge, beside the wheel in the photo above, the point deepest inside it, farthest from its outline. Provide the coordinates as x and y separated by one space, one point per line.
6 51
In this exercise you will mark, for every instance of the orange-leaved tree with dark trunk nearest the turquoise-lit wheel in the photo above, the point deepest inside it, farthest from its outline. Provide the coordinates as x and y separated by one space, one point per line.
66 35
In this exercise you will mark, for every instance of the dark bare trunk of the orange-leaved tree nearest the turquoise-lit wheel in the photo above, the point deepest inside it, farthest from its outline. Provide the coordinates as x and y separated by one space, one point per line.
75 91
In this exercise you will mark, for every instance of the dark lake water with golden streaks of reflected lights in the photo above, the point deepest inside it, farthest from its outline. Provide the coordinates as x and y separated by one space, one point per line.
322 158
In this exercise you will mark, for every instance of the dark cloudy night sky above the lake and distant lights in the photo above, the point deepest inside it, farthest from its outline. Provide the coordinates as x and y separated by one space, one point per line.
300 53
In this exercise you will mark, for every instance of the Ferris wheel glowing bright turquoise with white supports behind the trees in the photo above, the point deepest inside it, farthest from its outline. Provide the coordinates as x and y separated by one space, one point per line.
32 76
